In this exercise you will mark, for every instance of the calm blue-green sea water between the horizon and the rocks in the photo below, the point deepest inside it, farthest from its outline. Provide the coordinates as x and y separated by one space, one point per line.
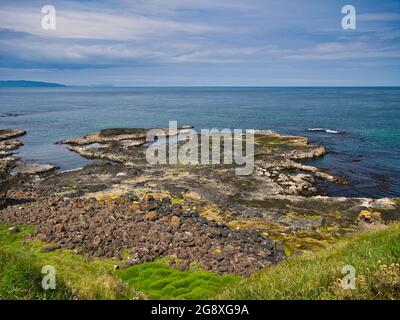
361 126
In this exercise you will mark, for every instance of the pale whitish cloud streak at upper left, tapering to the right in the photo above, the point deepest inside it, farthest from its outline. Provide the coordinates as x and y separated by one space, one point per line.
99 25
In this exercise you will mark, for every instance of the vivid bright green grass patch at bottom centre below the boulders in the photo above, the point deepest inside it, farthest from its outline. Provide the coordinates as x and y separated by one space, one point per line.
159 281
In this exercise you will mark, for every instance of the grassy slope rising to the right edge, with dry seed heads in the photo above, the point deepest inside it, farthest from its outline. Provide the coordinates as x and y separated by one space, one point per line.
374 255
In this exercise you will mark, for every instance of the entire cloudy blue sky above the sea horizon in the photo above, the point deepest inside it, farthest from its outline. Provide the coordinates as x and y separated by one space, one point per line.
202 43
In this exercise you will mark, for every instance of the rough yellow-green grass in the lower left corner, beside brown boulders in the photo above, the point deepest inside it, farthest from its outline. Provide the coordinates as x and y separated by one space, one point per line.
21 263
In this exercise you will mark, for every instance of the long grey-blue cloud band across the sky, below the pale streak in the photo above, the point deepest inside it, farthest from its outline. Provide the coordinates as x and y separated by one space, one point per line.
72 53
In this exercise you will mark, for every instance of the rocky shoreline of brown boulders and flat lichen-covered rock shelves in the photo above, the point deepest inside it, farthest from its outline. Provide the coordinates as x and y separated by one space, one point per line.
121 207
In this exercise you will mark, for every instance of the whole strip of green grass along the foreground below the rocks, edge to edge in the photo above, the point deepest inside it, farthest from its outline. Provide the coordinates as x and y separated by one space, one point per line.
375 255
